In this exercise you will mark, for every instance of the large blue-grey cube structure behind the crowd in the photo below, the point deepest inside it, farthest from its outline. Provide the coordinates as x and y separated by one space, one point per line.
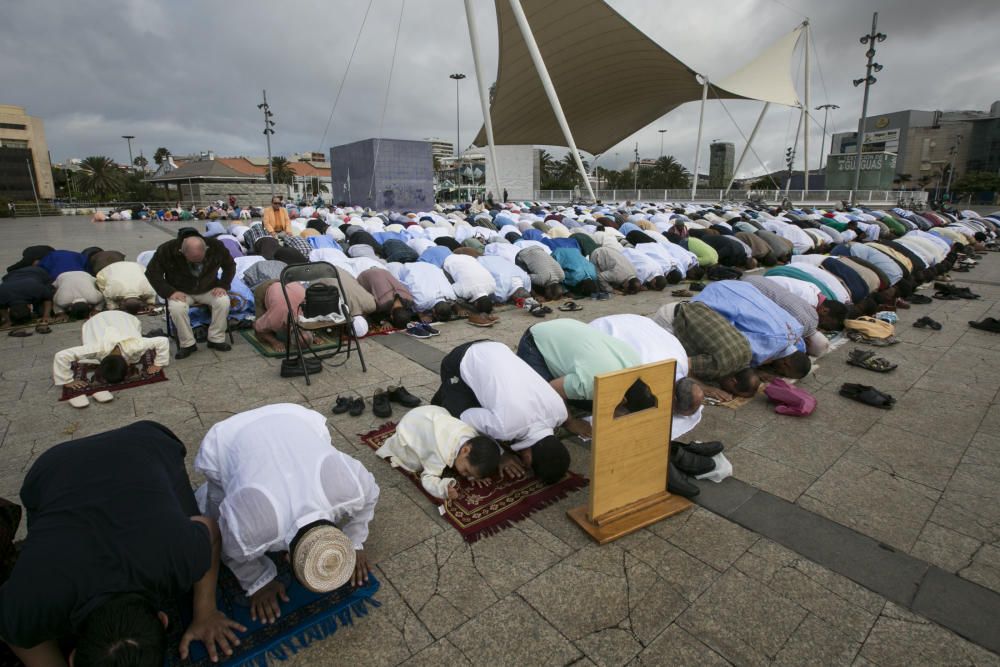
395 174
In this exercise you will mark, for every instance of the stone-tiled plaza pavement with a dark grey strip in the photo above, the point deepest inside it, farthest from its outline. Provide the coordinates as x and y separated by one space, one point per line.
854 536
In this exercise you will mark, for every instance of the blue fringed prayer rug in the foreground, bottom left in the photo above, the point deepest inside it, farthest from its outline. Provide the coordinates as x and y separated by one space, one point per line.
306 618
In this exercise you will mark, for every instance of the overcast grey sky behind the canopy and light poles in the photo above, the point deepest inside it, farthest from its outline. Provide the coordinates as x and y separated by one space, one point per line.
188 75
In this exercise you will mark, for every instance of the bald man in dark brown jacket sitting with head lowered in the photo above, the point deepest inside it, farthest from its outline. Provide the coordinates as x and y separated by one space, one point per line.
186 271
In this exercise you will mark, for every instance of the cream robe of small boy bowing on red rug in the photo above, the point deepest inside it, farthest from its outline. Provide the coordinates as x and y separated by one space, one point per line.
426 442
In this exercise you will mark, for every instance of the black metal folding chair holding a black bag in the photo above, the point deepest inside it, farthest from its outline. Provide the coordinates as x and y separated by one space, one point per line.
308 273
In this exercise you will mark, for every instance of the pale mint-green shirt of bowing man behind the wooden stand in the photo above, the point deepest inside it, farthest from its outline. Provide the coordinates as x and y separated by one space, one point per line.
577 352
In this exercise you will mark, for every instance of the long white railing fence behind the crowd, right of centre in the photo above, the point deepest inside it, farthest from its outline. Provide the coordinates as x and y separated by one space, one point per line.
873 197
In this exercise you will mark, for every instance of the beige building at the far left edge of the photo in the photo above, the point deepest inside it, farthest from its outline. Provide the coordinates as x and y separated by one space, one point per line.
24 154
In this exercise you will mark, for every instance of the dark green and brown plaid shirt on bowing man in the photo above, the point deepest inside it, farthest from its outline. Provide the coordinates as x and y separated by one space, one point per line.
715 347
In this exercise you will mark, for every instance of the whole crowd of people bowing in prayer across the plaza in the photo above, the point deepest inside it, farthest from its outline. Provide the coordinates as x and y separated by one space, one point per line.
98 590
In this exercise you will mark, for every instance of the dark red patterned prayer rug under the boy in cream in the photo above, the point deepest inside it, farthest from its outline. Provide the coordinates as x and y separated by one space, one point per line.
480 512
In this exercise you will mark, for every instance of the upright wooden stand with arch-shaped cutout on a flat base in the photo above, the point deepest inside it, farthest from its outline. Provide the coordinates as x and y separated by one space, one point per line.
630 456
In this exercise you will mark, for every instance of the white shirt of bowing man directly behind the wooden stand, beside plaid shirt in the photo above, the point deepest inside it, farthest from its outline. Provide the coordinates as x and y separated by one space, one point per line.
653 343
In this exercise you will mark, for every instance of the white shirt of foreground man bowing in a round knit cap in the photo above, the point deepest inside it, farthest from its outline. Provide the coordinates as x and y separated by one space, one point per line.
272 471
